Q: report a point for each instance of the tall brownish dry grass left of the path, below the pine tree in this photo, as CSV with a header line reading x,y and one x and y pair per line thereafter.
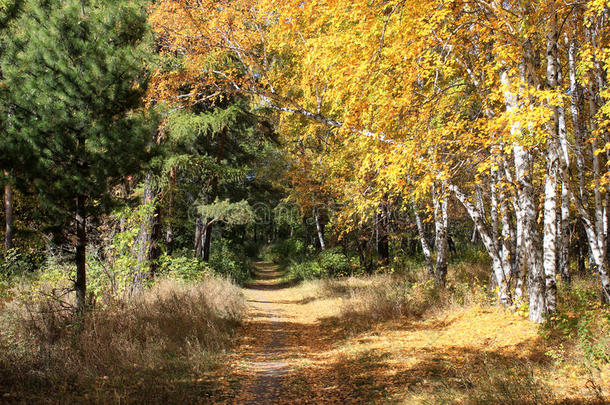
x,y
164,341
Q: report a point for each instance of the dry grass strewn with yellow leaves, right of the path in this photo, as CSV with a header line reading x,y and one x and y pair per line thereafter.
x,y
398,337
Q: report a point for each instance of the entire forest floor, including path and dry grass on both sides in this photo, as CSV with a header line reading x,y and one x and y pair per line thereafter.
x,y
353,340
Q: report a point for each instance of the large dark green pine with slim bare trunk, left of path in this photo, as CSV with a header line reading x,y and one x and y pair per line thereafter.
x,y
75,73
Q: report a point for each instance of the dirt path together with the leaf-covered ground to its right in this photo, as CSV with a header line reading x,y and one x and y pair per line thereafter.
x,y
298,347
